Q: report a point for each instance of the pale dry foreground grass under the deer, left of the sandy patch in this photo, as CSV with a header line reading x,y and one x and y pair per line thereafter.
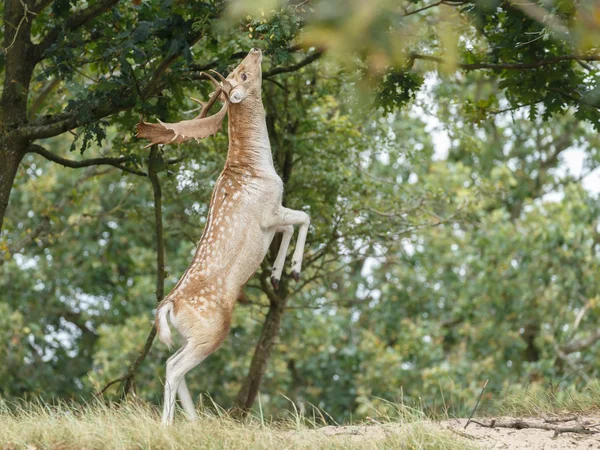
x,y
133,425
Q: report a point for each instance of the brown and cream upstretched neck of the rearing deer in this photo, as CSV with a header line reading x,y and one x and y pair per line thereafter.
x,y
248,135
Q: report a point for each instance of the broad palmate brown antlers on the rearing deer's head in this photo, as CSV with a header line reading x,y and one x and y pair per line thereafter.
x,y
196,128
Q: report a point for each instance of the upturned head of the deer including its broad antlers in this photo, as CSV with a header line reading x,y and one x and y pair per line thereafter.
x,y
244,82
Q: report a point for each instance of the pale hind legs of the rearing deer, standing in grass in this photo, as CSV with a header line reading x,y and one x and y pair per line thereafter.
x,y
178,365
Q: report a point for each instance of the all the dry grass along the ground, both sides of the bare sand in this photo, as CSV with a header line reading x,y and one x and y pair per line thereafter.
x,y
131,425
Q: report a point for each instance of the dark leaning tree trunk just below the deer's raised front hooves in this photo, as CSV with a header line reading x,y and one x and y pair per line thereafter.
x,y
262,352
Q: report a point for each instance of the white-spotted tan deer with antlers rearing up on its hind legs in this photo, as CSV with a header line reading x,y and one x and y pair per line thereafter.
x,y
245,213
